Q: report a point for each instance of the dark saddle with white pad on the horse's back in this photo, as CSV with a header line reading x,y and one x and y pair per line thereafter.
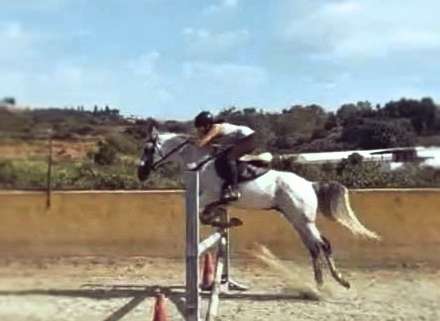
x,y
249,167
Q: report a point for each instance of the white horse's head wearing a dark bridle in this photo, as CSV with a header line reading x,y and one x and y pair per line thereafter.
x,y
159,149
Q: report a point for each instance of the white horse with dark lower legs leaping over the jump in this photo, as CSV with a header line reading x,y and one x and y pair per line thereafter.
x,y
296,198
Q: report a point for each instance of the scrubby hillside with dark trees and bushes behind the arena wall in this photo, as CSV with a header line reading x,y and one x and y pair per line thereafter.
x,y
100,148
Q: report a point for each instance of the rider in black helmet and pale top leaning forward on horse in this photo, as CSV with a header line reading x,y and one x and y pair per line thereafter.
x,y
241,138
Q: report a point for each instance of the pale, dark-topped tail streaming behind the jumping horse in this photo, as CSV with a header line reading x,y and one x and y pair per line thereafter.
x,y
334,203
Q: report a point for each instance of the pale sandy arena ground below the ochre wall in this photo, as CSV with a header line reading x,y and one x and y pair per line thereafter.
x,y
110,289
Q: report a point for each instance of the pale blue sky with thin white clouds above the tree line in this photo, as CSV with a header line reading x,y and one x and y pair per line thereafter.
x,y
170,59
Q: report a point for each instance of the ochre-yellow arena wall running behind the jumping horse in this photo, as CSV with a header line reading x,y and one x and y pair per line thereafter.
x,y
151,223
